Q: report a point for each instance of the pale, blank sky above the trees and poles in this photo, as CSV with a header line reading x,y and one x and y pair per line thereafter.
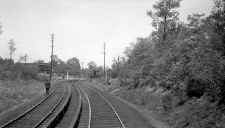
x,y
80,26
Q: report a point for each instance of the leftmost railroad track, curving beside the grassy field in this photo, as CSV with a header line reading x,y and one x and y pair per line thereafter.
x,y
34,116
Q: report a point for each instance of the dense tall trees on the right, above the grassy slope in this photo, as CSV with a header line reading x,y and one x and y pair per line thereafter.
x,y
185,58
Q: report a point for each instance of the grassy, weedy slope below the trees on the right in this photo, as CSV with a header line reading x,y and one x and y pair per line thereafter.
x,y
193,113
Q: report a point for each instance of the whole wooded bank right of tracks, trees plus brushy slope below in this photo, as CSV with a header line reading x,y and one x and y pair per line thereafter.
x,y
178,71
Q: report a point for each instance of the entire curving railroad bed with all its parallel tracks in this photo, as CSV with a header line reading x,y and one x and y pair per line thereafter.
x,y
77,107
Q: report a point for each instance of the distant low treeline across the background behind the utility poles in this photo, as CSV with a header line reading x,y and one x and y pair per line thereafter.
x,y
11,70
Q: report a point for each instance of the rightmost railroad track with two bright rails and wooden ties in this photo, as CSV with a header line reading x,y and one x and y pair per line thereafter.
x,y
101,112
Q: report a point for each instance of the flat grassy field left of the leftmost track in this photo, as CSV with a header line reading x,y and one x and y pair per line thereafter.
x,y
13,93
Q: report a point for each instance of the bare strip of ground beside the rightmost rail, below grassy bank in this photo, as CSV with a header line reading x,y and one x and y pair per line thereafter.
x,y
131,116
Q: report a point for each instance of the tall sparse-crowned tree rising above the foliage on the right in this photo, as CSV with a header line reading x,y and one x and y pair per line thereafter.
x,y
165,16
